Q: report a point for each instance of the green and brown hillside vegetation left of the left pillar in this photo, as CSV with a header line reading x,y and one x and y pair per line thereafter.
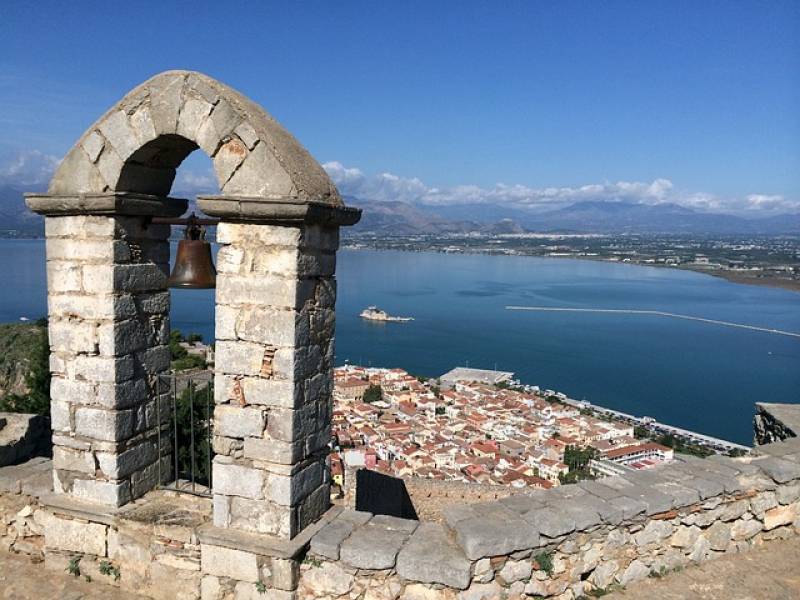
x,y
24,368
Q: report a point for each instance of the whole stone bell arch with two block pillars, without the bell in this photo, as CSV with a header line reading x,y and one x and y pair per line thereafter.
x,y
275,304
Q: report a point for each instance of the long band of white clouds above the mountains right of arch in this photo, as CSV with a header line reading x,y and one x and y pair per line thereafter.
x,y
387,186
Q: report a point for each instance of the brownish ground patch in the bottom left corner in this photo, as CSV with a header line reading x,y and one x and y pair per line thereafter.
x,y
21,579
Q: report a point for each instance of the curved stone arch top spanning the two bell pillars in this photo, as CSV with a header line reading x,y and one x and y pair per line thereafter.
x,y
137,145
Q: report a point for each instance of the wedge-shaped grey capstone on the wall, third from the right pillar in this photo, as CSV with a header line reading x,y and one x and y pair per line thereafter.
x,y
431,556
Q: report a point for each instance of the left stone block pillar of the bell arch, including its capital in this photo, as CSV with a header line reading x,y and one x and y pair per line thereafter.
x,y
109,328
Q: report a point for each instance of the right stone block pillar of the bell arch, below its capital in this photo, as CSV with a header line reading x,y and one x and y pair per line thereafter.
x,y
273,385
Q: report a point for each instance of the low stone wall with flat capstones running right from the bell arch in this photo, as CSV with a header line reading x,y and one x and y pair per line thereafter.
x,y
566,542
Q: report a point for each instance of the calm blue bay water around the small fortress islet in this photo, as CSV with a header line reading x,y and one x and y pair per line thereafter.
x,y
695,375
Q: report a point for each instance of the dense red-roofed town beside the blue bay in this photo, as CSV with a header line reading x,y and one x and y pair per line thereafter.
x,y
477,426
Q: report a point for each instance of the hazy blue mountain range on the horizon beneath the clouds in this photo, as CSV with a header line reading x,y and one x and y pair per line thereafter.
x,y
404,218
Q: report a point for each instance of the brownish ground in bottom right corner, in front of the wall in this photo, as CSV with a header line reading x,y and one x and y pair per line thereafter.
x,y
768,573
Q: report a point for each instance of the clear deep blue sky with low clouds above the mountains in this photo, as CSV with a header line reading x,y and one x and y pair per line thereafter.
x,y
518,102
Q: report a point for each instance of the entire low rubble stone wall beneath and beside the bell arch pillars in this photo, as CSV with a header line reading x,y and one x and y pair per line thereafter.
x,y
566,542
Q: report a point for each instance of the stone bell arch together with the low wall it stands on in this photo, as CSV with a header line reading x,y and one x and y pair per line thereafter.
x,y
268,529
